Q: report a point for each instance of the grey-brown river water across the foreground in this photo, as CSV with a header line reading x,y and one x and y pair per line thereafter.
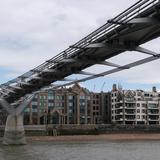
x,y
98,150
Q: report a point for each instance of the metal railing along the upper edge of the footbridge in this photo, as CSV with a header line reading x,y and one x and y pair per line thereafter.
x,y
132,12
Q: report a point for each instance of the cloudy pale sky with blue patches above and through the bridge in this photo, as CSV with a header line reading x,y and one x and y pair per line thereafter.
x,y
33,31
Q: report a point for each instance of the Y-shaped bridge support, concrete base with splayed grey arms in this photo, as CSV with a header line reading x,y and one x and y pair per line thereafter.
x,y
14,130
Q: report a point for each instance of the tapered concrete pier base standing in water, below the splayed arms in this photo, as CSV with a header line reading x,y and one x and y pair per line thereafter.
x,y
14,130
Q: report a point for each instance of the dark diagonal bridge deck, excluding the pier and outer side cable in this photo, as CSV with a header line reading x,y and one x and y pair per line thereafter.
x,y
125,35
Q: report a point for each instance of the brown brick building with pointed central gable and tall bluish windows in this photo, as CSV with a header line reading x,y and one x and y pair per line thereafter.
x,y
61,106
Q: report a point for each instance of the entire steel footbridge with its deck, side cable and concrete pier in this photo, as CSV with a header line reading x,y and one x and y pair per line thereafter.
x,y
137,25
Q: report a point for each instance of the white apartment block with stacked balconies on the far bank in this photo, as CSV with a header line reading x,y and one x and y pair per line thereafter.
x,y
135,107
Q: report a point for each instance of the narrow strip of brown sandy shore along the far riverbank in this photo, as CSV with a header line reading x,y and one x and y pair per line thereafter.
x,y
103,137
